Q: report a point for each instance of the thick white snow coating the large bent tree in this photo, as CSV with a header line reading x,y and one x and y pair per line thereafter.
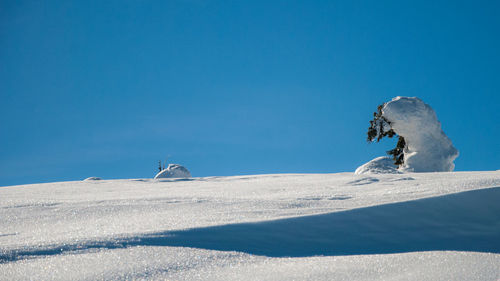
x,y
429,149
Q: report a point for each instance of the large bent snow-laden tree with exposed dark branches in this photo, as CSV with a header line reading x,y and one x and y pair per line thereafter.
x,y
422,145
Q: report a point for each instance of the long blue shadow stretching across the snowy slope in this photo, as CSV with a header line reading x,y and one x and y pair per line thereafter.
x,y
467,221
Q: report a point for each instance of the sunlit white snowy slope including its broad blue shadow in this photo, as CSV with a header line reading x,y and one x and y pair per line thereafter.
x,y
411,226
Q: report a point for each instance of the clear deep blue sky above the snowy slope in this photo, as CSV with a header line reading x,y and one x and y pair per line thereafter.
x,y
108,88
